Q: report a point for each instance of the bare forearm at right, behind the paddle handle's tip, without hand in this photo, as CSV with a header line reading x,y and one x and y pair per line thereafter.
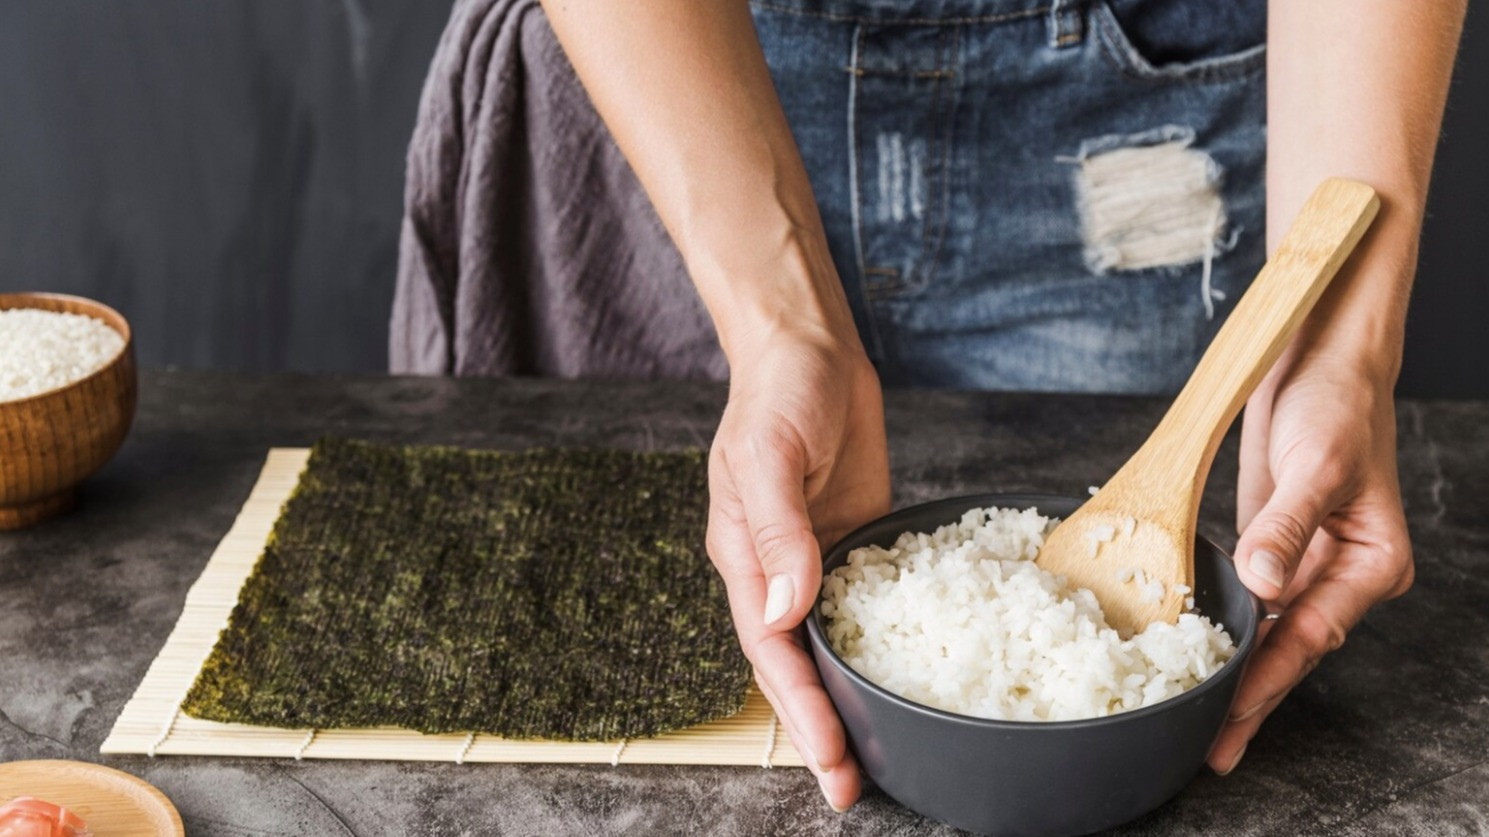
x,y
1357,90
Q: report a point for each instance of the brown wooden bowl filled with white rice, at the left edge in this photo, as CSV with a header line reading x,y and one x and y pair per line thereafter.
x,y
68,394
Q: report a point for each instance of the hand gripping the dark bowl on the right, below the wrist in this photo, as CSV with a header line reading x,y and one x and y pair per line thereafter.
x,y
1323,532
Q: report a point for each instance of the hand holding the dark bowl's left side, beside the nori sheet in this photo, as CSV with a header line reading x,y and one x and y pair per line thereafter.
x,y
799,461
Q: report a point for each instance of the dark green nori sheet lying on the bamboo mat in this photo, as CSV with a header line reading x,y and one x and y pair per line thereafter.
x,y
532,595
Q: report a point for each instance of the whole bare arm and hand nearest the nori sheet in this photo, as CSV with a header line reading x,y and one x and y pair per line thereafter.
x,y
800,453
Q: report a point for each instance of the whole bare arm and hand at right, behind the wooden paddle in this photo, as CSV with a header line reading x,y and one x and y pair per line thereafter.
x,y
1356,89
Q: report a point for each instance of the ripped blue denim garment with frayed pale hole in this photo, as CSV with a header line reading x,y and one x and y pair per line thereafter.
x,y
1028,194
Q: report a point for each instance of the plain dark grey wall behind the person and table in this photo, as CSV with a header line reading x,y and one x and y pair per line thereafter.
x,y
230,176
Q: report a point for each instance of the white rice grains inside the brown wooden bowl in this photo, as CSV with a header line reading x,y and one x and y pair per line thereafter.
x,y
44,351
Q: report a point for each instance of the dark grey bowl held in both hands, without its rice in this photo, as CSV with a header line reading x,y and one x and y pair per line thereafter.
x,y
1025,778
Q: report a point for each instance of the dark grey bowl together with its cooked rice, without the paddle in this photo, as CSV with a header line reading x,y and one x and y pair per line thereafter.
x,y
986,693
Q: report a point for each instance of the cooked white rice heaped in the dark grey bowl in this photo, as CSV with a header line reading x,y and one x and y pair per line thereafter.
x,y
966,622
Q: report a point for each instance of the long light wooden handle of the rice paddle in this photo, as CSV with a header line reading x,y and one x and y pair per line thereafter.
x,y
1323,236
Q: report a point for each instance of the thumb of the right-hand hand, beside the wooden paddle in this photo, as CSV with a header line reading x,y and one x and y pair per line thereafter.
x,y
1277,538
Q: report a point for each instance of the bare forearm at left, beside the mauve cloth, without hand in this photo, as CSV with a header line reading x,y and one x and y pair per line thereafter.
x,y
686,92
